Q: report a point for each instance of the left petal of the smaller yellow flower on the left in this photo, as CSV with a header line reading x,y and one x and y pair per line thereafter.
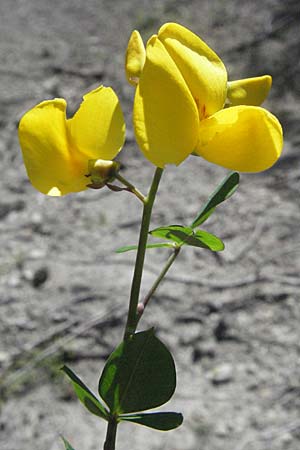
x,y
52,167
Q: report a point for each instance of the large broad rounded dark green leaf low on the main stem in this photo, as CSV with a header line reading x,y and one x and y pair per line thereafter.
x,y
139,375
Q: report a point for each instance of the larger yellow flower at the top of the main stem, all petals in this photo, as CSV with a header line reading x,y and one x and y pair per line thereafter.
x,y
181,100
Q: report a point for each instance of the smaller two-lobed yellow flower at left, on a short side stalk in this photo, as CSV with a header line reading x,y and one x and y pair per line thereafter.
x,y
58,152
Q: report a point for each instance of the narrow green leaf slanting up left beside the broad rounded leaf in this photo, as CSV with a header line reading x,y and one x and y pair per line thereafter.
x,y
85,395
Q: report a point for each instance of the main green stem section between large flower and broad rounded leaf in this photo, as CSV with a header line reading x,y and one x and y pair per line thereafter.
x,y
132,317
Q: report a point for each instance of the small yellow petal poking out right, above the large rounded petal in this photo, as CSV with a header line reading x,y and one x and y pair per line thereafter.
x,y
249,91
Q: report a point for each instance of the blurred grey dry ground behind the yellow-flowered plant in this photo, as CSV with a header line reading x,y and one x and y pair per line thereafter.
x,y
231,321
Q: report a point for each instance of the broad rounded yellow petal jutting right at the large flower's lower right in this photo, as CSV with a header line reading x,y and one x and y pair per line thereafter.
x,y
242,138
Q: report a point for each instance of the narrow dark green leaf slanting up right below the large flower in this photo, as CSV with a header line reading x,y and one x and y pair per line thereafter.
x,y
225,190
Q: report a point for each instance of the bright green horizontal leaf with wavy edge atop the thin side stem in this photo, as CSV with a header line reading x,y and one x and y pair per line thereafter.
x,y
187,236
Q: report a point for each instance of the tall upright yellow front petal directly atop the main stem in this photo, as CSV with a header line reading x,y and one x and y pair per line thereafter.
x,y
165,115
